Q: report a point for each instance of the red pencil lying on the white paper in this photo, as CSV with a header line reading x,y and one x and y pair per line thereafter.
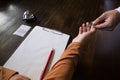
x,y
47,64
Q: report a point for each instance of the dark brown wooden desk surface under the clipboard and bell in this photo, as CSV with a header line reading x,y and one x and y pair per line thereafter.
x,y
65,16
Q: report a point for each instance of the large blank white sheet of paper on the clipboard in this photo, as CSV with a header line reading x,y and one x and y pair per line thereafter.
x,y
30,57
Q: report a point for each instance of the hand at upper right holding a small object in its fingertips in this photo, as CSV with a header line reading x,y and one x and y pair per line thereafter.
x,y
107,20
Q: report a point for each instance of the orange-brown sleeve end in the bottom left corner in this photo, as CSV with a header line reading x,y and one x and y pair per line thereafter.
x,y
6,73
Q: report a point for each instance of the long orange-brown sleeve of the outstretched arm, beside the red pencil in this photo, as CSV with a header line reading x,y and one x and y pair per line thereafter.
x,y
65,67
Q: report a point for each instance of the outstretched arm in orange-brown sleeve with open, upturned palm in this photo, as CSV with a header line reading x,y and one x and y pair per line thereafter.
x,y
65,66
